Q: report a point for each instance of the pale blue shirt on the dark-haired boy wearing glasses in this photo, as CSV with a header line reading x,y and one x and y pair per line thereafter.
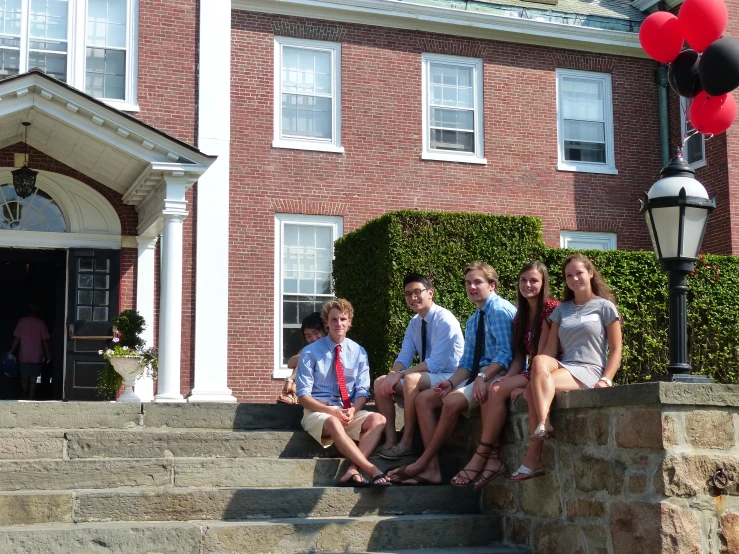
x,y
444,341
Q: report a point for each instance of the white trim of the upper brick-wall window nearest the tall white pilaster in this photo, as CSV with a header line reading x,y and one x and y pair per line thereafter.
x,y
320,145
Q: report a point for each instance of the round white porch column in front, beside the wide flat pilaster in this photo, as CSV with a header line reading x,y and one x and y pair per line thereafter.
x,y
170,294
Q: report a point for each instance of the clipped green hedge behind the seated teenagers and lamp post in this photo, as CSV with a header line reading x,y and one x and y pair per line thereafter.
x,y
370,264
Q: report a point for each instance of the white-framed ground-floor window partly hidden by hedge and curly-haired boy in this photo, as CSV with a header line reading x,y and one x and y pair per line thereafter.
x,y
304,253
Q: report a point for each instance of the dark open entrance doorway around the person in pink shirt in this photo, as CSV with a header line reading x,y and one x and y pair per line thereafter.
x,y
38,277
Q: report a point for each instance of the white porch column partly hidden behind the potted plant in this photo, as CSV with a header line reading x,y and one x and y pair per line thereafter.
x,y
144,386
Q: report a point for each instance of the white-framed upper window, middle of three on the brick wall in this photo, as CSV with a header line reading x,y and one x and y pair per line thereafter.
x,y
452,109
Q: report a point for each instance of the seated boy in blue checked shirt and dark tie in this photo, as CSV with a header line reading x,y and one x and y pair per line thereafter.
x,y
487,352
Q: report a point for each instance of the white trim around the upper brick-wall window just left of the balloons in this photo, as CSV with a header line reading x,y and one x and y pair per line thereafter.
x,y
608,168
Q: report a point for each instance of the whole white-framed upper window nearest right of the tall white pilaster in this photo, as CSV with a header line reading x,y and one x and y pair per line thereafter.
x,y
307,95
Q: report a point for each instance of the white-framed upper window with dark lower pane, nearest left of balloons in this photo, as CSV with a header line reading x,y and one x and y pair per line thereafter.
x,y
585,122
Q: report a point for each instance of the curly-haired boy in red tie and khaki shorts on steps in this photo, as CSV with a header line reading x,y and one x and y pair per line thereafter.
x,y
333,387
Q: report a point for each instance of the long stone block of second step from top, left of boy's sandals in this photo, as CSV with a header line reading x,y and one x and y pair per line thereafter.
x,y
191,443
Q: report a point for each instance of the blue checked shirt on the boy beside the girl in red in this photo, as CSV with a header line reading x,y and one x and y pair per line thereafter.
x,y
499,315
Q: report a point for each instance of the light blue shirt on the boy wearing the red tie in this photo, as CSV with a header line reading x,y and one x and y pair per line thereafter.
x,y
316,375
